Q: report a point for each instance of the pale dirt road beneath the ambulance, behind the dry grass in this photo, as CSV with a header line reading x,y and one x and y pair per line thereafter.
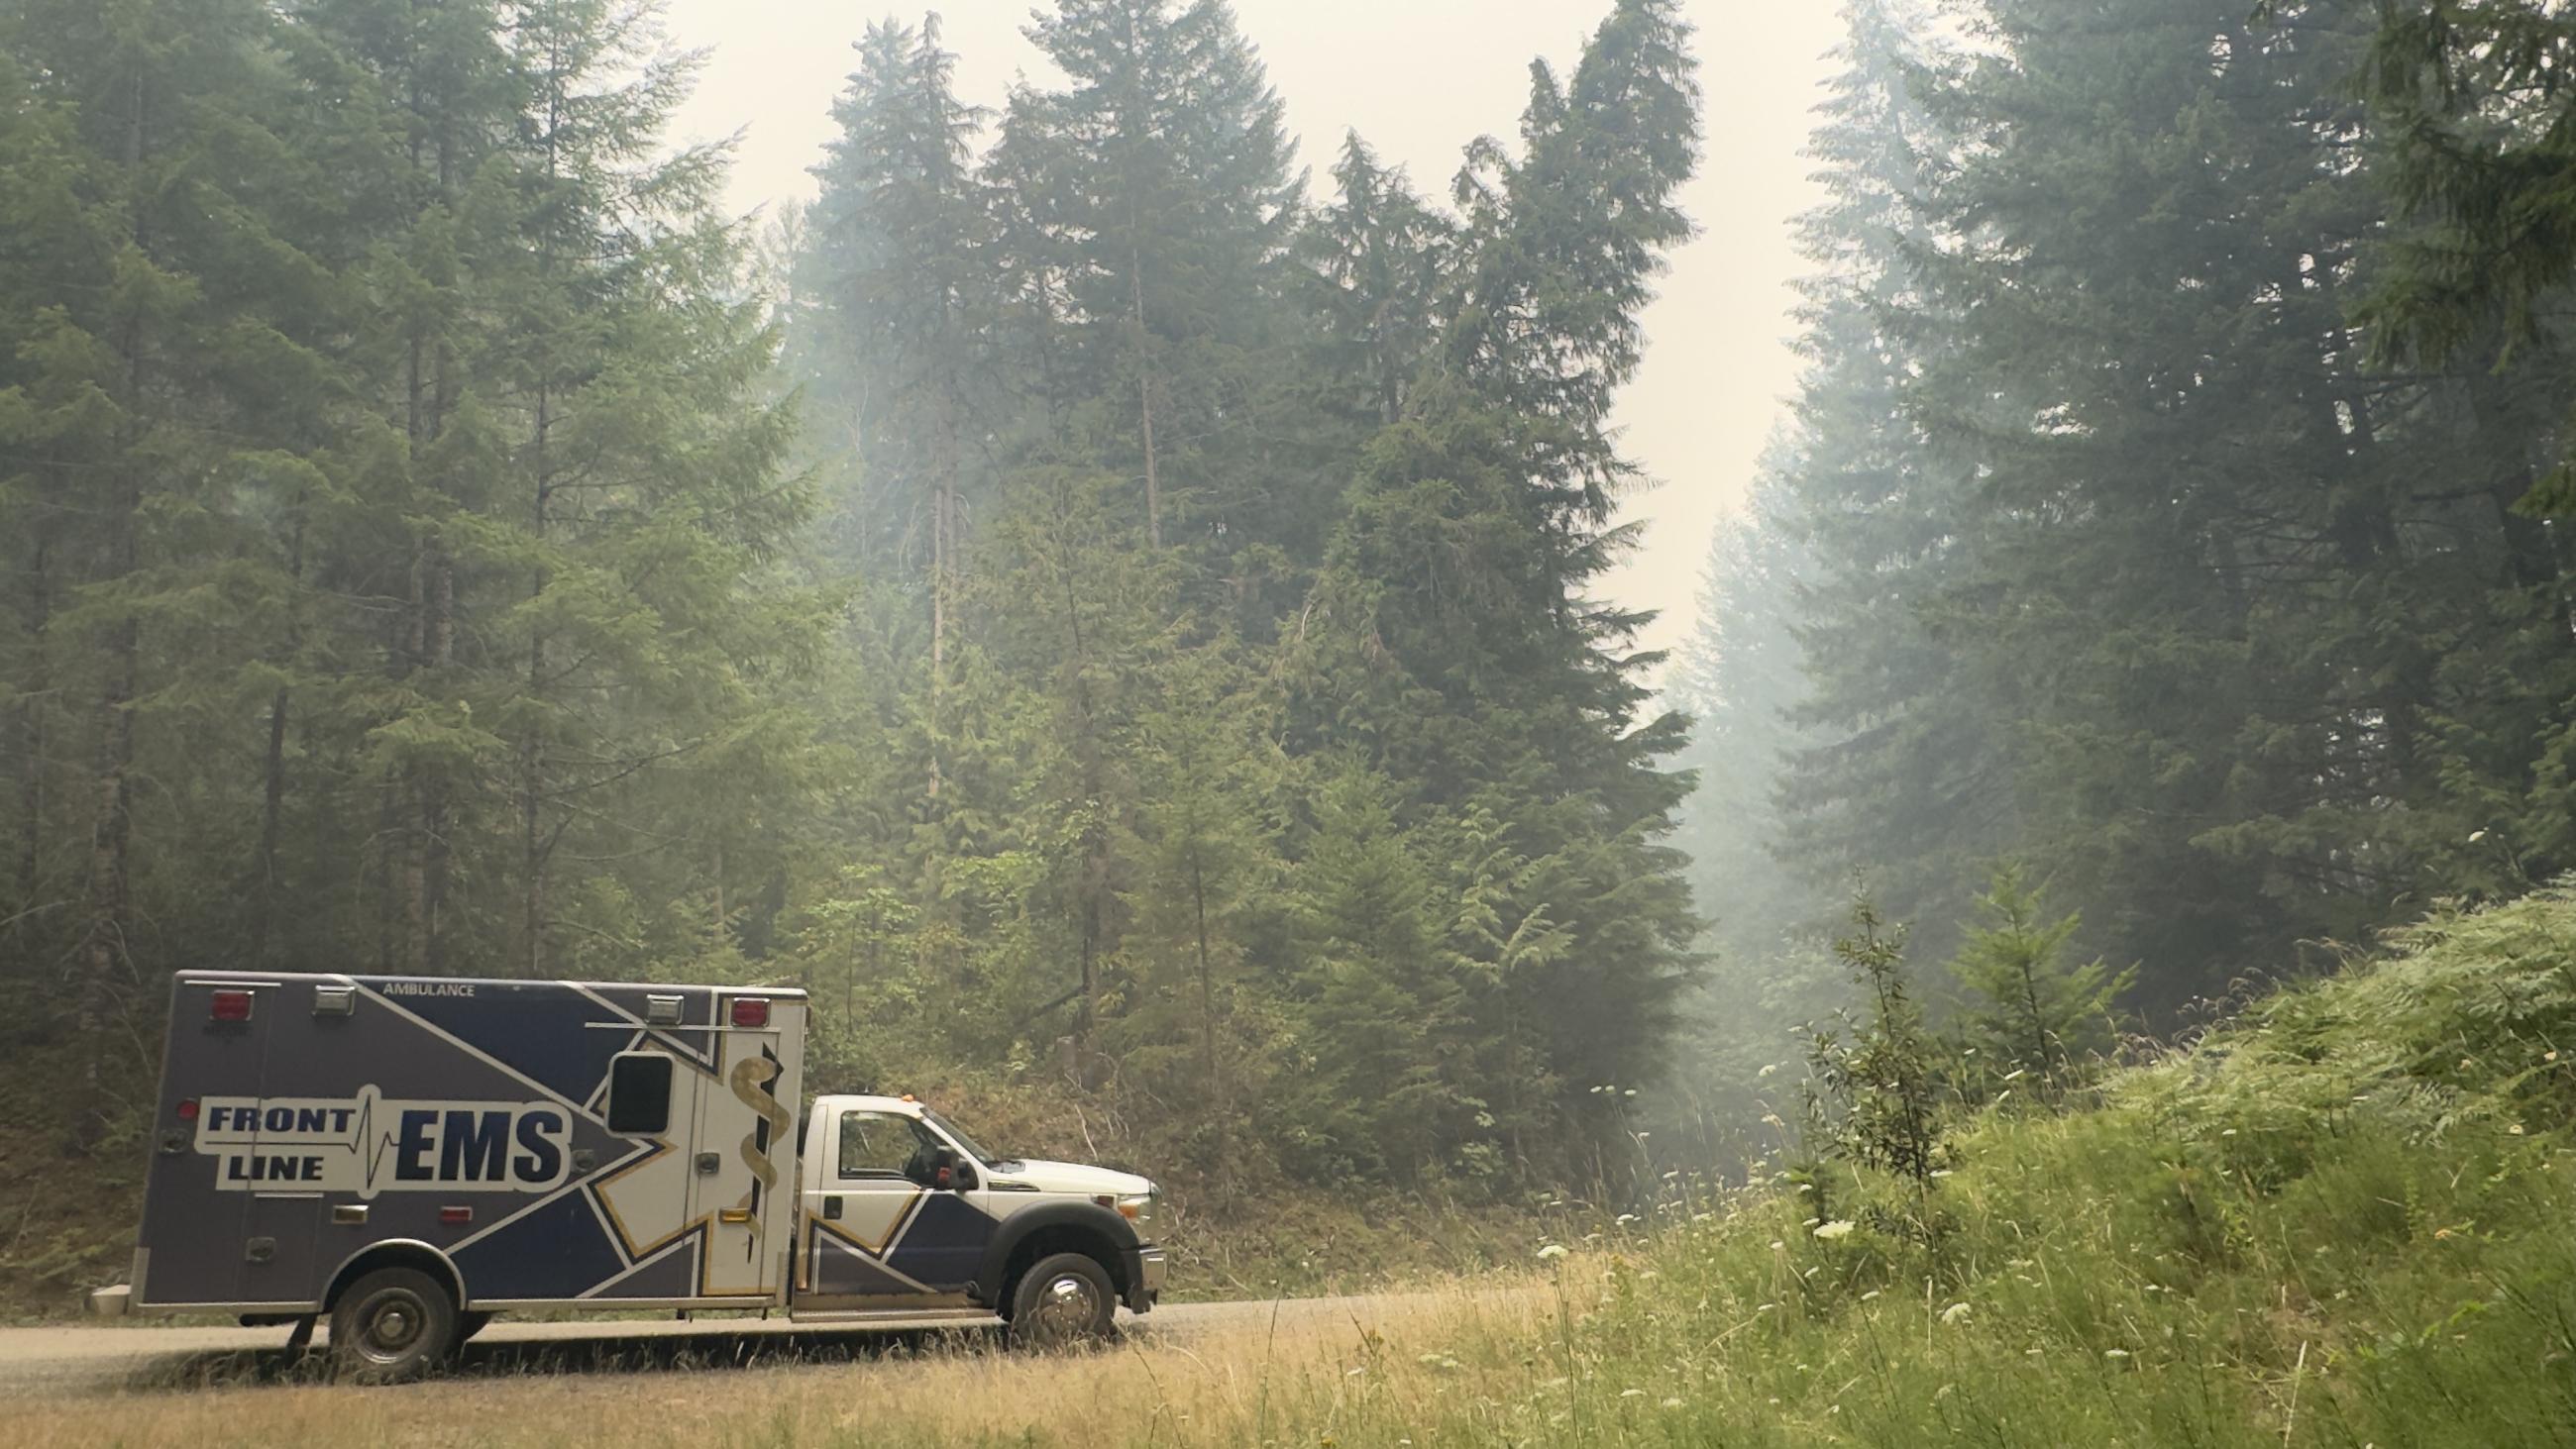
x,y
81,1360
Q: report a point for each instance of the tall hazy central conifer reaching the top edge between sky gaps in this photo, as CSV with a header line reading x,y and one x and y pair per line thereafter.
x,y
1158,192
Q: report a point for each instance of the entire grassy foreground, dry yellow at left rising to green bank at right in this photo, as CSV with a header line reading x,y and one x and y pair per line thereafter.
x,y
2345,1221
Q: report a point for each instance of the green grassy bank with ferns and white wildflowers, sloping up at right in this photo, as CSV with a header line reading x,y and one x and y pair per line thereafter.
x,y
2351,1219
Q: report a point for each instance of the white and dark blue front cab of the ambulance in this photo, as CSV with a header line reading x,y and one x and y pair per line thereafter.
x,y
903,1211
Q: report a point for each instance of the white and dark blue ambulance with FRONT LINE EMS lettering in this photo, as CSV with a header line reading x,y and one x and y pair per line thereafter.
x,y
408,1157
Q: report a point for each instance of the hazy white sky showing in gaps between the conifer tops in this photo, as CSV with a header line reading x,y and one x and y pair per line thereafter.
x,y
1421,78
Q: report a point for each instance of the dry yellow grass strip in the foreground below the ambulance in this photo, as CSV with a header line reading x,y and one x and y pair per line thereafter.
x,y
1297,1376
